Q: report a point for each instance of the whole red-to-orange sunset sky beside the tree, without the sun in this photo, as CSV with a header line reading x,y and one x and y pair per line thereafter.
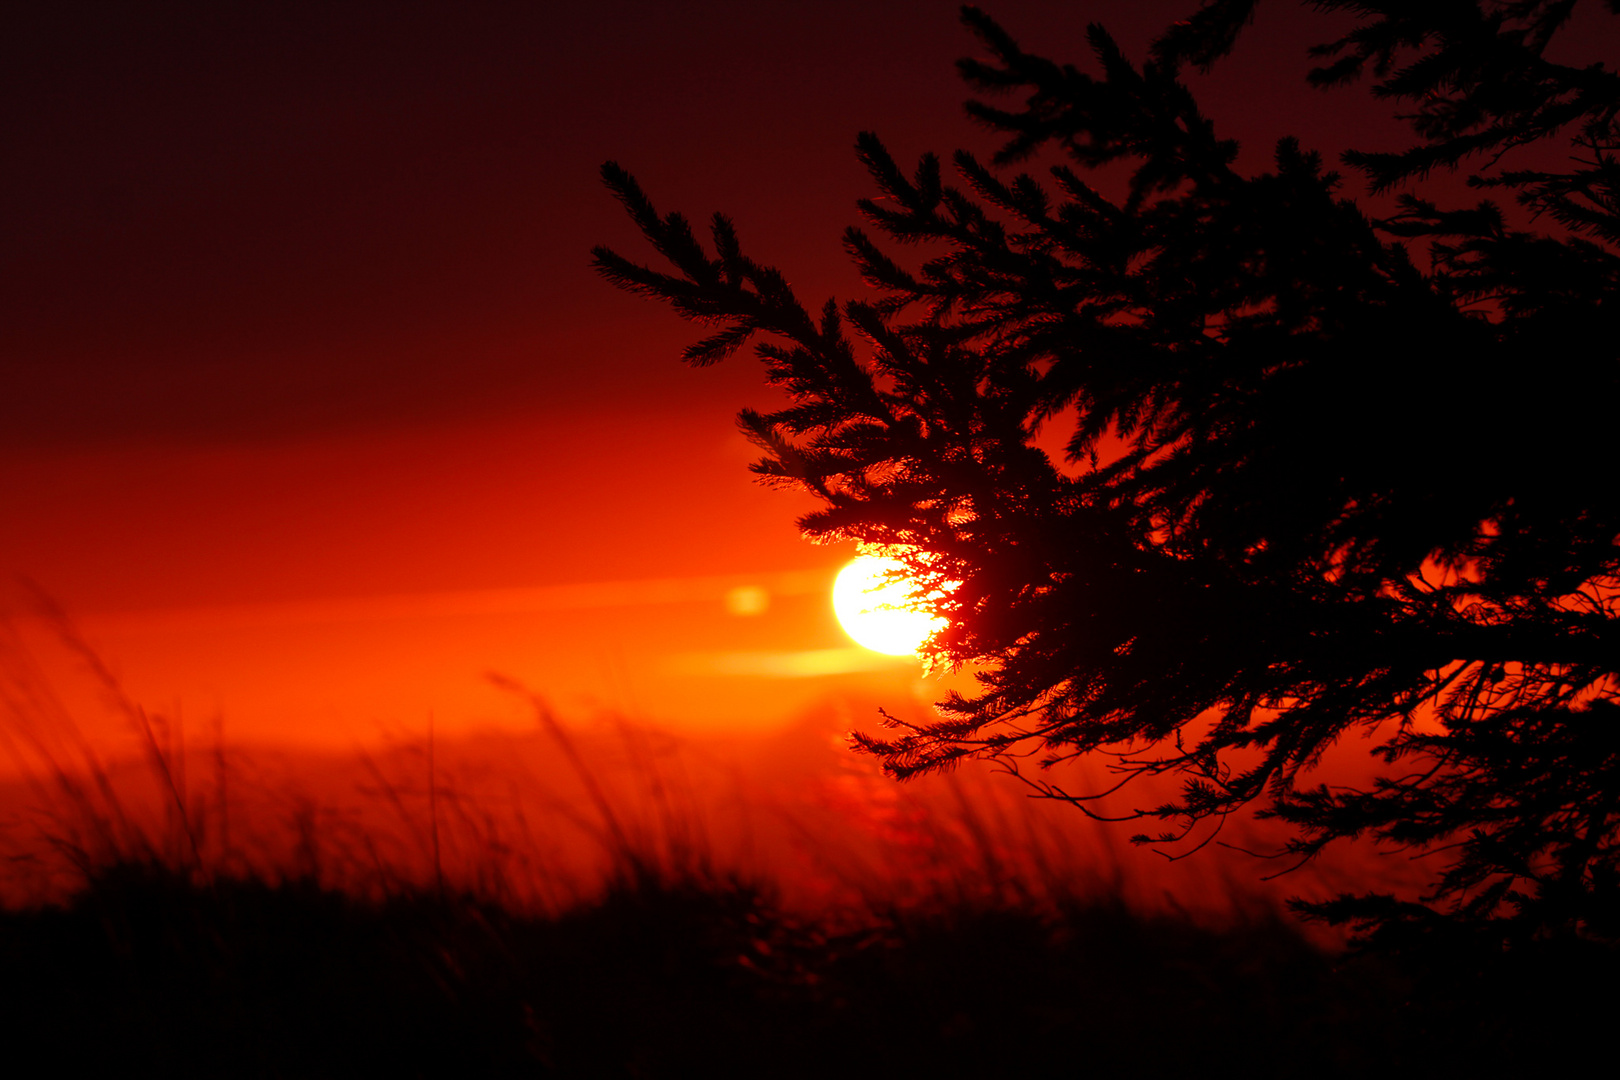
x,y
310,407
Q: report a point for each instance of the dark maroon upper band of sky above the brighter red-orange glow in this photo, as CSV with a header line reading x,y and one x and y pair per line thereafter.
x,y
262,221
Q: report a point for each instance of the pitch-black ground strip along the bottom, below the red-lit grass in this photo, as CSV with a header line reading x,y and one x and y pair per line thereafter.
x,y
148,974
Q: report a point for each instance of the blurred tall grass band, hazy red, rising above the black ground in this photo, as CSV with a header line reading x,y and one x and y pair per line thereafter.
x,y
422,815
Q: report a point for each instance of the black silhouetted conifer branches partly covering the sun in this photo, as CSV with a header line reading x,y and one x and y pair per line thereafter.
x,y
1326,474
